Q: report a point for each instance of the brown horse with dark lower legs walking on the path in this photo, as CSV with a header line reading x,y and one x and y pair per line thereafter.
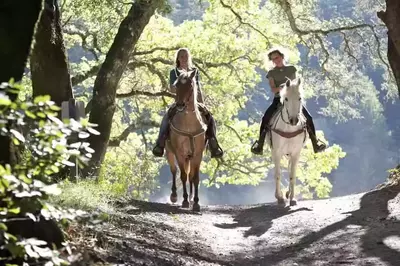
x,y
187,139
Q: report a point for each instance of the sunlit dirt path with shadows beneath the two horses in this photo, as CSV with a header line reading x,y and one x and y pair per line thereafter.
x,y
361,229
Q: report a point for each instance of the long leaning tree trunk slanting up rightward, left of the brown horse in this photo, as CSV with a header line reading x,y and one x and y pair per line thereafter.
x,y
106,83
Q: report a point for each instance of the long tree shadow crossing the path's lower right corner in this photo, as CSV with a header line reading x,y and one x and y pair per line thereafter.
x,y
372,216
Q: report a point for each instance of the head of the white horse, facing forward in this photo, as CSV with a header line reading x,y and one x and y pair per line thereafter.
x,y
292,100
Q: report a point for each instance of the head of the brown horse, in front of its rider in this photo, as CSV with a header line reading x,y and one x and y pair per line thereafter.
x,y
185,86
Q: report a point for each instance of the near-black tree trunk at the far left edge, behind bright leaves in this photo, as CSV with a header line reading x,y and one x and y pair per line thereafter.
x,y
17,26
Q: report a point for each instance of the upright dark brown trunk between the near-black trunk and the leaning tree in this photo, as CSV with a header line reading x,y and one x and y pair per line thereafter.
x,y
48,62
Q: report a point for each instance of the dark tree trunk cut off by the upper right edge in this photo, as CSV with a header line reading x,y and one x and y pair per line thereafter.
x,y
391,18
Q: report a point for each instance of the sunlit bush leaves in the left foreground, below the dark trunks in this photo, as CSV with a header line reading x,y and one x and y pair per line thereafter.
x,y
25,187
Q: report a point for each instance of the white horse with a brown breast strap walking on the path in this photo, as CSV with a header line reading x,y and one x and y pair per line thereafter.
x,y
288,135
